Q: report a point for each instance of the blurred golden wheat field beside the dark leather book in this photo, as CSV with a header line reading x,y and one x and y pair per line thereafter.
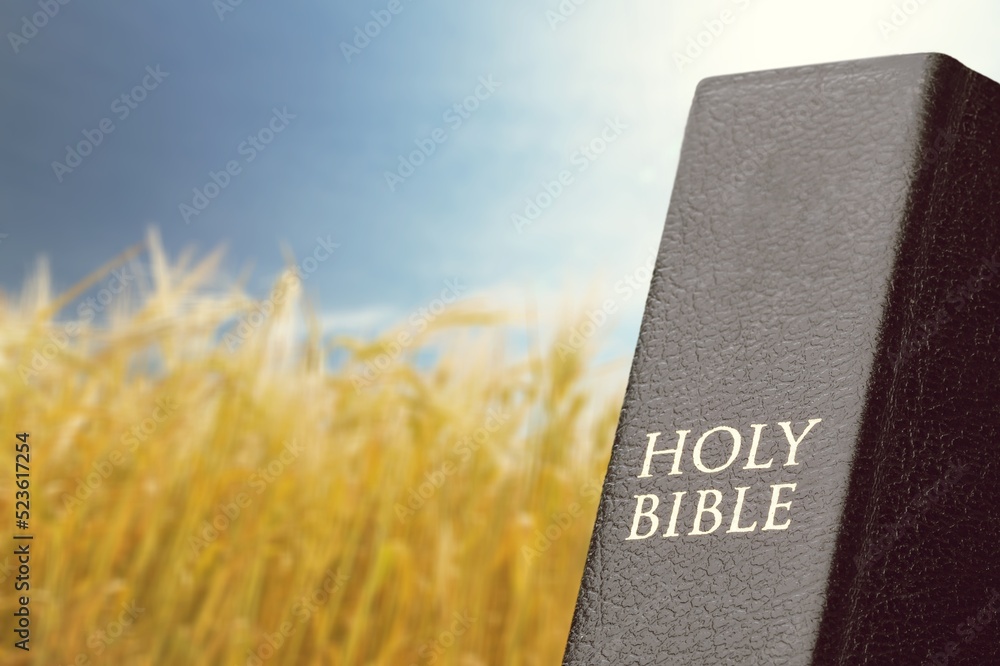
x,y
199,496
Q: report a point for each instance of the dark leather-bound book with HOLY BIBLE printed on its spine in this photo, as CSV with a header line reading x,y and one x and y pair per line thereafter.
x,y
807,463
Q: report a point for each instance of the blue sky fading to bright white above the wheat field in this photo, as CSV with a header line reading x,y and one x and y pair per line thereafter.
x,y
535,84
